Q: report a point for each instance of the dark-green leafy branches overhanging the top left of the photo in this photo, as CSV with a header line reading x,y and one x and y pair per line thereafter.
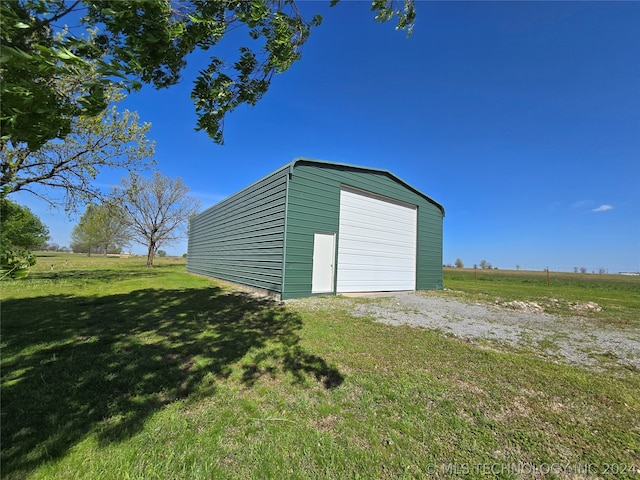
x,y
145,41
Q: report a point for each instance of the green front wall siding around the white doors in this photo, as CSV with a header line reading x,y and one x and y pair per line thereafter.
x,y
314,206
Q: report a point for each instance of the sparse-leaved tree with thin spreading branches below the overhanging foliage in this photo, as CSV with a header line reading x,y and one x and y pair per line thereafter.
x,y
62,173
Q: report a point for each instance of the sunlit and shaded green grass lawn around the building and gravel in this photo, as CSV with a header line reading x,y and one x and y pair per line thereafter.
x,y
111,370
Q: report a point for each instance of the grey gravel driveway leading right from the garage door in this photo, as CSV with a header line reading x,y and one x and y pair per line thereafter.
x,y
572,340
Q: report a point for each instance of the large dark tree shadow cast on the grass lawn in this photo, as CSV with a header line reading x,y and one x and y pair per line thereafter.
x,y
79,365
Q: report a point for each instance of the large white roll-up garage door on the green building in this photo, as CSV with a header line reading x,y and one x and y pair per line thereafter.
x,y
376,244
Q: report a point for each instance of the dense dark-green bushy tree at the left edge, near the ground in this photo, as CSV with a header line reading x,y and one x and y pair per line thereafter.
x,y
20,231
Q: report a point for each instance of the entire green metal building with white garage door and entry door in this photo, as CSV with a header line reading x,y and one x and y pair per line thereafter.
x,y
315,227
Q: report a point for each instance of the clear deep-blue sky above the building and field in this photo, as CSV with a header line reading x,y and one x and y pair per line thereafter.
x,y
521,118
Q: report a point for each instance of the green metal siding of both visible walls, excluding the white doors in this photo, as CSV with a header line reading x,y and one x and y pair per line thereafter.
x,y
262,236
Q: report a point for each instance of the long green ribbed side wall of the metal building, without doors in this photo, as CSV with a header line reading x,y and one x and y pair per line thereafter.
x,y
241,239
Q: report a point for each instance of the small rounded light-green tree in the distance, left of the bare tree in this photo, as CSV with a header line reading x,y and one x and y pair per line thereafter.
x,y
101,229
